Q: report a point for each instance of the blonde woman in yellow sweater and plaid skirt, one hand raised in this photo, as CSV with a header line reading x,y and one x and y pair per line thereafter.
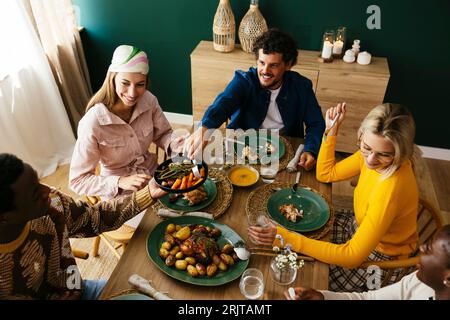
x,y
383,226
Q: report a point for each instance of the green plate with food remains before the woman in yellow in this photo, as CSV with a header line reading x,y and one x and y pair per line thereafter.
x,y
315,209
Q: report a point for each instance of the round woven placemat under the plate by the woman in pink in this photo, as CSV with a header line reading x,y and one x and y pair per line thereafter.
x,y
222,200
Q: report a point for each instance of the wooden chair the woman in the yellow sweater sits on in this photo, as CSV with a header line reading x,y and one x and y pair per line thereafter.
x,y
429,221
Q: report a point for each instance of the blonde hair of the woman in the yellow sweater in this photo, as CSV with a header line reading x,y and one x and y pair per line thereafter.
x,y
395,123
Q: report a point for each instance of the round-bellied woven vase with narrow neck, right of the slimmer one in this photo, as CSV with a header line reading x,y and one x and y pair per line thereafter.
x,y
252,26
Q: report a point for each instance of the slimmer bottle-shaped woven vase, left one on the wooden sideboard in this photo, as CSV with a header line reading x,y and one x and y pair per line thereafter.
x,y
224,27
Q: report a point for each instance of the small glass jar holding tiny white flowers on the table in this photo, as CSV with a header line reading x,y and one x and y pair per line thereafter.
x,y
283,268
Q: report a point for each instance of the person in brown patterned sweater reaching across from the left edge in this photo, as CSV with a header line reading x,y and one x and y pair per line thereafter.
x,y
36,221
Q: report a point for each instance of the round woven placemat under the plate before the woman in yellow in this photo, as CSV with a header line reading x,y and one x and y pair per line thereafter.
x,y
257,205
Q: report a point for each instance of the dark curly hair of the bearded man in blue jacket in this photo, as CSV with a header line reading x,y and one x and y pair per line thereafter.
x,y
276,41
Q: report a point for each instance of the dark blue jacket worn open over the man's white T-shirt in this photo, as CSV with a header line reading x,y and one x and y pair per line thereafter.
x,y
246,103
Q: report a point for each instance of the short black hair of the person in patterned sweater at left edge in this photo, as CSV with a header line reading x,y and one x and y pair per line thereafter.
x,y
11,168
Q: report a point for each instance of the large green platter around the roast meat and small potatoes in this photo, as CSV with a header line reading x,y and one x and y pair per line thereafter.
x,y
155,239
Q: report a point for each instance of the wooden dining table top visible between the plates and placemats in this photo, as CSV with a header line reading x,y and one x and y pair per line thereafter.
x,y
135,259
